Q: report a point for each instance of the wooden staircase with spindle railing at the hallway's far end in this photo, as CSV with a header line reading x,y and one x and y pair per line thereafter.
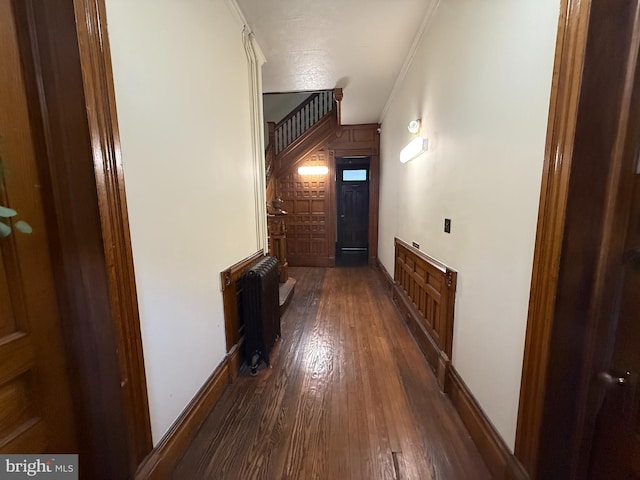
x,y
307,126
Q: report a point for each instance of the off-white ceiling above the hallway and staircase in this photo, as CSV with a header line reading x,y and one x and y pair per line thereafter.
x,y
358,45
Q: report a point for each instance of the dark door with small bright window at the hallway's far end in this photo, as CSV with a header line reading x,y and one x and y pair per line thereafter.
x,y
353,210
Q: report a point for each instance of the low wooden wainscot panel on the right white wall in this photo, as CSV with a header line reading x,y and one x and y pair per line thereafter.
x,y
424,290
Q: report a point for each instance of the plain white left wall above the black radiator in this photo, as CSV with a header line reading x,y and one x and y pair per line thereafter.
x,y
183,100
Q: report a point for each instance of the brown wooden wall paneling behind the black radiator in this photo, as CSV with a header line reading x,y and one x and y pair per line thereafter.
x,y
233,330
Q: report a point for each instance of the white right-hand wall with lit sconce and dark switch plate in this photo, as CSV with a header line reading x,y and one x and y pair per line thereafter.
x,y
480,80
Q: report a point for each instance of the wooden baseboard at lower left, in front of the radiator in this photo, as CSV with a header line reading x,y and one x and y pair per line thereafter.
x,y
163,459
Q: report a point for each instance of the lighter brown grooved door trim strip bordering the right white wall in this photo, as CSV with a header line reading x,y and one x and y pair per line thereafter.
x,y
565,93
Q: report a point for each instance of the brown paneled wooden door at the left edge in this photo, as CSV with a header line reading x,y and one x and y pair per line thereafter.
x,y
36,413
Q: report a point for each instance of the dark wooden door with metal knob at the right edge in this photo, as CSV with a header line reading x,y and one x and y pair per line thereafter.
x,y
615,452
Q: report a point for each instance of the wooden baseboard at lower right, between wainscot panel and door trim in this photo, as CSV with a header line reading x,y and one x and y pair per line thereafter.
x,y
502,464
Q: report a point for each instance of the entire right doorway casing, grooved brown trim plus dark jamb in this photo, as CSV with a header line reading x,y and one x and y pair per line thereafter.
x,y
566,336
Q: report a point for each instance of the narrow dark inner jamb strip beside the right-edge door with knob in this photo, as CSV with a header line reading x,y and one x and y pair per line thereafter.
x,y
615,223
